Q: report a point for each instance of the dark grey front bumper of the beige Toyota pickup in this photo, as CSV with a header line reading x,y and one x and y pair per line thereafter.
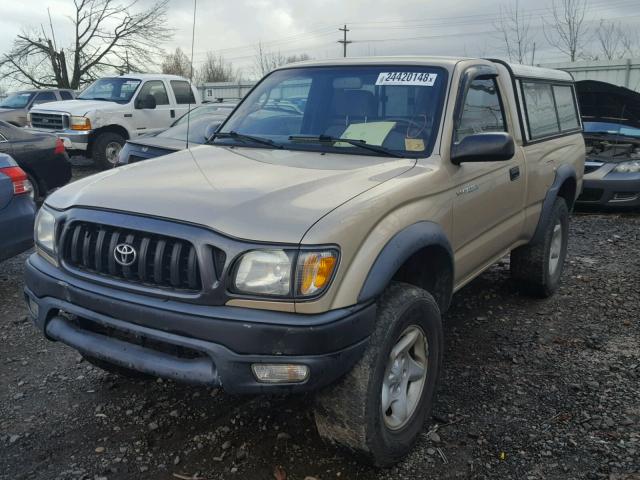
x,y
215,346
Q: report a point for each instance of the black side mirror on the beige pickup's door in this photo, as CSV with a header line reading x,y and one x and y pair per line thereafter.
x,y
483,147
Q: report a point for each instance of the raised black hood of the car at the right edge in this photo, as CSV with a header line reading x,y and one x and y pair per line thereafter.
x,y
607,103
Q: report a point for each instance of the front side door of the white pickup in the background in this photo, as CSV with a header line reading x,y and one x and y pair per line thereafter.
x,y
153,120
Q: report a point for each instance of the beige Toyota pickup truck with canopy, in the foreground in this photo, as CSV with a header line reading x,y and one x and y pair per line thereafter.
x,y
315,241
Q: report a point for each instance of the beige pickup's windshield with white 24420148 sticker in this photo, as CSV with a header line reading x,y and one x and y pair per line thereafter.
x,y
394,107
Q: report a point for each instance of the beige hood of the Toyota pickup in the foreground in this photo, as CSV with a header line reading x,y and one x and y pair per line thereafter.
x,y
252,194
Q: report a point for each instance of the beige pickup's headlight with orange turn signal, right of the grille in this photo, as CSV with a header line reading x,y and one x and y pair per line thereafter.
x,y
271,272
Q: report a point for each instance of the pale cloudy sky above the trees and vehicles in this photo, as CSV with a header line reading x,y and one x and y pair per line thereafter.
x,y
233,28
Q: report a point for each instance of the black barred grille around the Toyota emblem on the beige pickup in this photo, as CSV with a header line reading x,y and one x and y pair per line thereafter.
x,y
160,261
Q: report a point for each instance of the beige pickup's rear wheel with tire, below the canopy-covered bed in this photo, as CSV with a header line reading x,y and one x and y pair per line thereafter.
x,y
537,268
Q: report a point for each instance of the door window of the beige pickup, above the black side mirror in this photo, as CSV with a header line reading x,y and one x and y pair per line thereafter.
x,y
482,110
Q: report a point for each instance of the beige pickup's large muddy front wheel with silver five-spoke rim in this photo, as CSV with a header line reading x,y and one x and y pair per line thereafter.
x,y
378,409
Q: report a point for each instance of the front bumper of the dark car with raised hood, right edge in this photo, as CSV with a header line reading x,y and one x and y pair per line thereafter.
x,y
613,190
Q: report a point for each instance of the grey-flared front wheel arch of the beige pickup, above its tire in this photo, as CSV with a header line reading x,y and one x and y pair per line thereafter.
x,y
419,255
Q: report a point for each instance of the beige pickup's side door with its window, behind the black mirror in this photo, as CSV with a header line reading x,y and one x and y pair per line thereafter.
x,y
489,196
